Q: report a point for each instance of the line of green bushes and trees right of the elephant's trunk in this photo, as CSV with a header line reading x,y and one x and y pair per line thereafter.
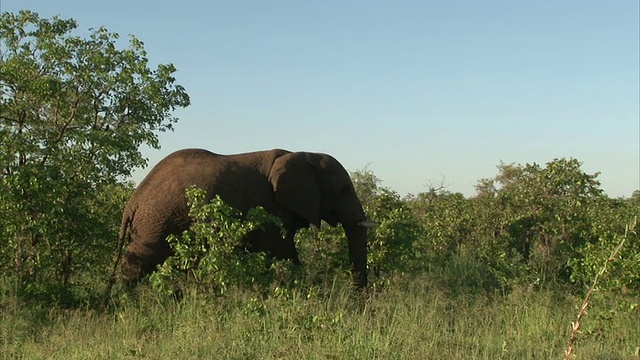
x,y
535,225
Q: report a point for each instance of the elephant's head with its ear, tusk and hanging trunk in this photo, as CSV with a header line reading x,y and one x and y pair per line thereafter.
x,y
316,187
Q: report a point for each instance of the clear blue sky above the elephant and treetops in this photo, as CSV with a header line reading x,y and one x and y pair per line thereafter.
x,y
417,91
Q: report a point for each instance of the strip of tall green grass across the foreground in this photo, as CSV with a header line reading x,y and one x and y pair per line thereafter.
x,y
416,320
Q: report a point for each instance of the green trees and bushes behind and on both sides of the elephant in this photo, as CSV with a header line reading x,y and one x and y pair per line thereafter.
x,y
74,113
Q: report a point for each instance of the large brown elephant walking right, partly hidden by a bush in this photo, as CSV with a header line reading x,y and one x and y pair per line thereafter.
x,y
301,188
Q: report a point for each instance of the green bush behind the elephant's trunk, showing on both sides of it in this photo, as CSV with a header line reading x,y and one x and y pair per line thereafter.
x,y
391,244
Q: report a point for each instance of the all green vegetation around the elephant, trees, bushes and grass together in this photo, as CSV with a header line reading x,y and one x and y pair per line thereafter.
x,y
505,274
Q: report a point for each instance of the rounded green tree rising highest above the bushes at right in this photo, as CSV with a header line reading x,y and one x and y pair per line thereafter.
x,y
545,215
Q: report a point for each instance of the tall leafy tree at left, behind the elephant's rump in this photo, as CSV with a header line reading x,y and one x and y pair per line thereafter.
x,y
73,114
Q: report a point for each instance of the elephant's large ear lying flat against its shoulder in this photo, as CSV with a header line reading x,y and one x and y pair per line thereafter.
x,y
295,186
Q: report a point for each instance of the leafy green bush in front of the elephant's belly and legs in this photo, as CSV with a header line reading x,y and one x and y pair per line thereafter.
x,y
210,255
